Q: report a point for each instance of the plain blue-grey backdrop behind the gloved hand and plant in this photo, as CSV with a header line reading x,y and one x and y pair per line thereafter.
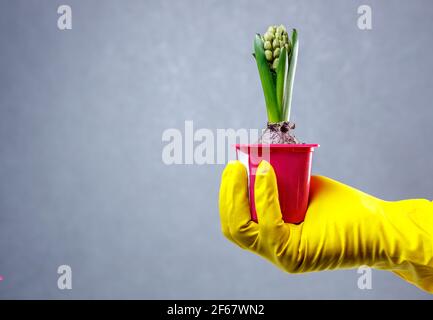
x,y
82,113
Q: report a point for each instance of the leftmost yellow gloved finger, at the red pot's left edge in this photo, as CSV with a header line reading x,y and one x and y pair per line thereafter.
x,y
234,200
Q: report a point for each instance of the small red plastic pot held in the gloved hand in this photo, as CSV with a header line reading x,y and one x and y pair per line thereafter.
x,y
292,166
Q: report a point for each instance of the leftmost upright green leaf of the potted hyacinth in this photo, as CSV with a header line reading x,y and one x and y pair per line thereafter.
x,y
268,82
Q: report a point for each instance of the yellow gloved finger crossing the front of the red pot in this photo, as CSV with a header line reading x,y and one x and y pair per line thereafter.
x,y
269,215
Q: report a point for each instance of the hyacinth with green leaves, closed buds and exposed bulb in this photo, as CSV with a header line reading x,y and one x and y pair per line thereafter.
x,y
276,55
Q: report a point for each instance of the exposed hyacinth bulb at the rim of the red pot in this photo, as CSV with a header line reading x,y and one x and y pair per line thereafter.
x,y
279,133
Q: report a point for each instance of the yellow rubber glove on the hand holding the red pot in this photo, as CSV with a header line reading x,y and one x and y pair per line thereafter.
x,y
343,227
